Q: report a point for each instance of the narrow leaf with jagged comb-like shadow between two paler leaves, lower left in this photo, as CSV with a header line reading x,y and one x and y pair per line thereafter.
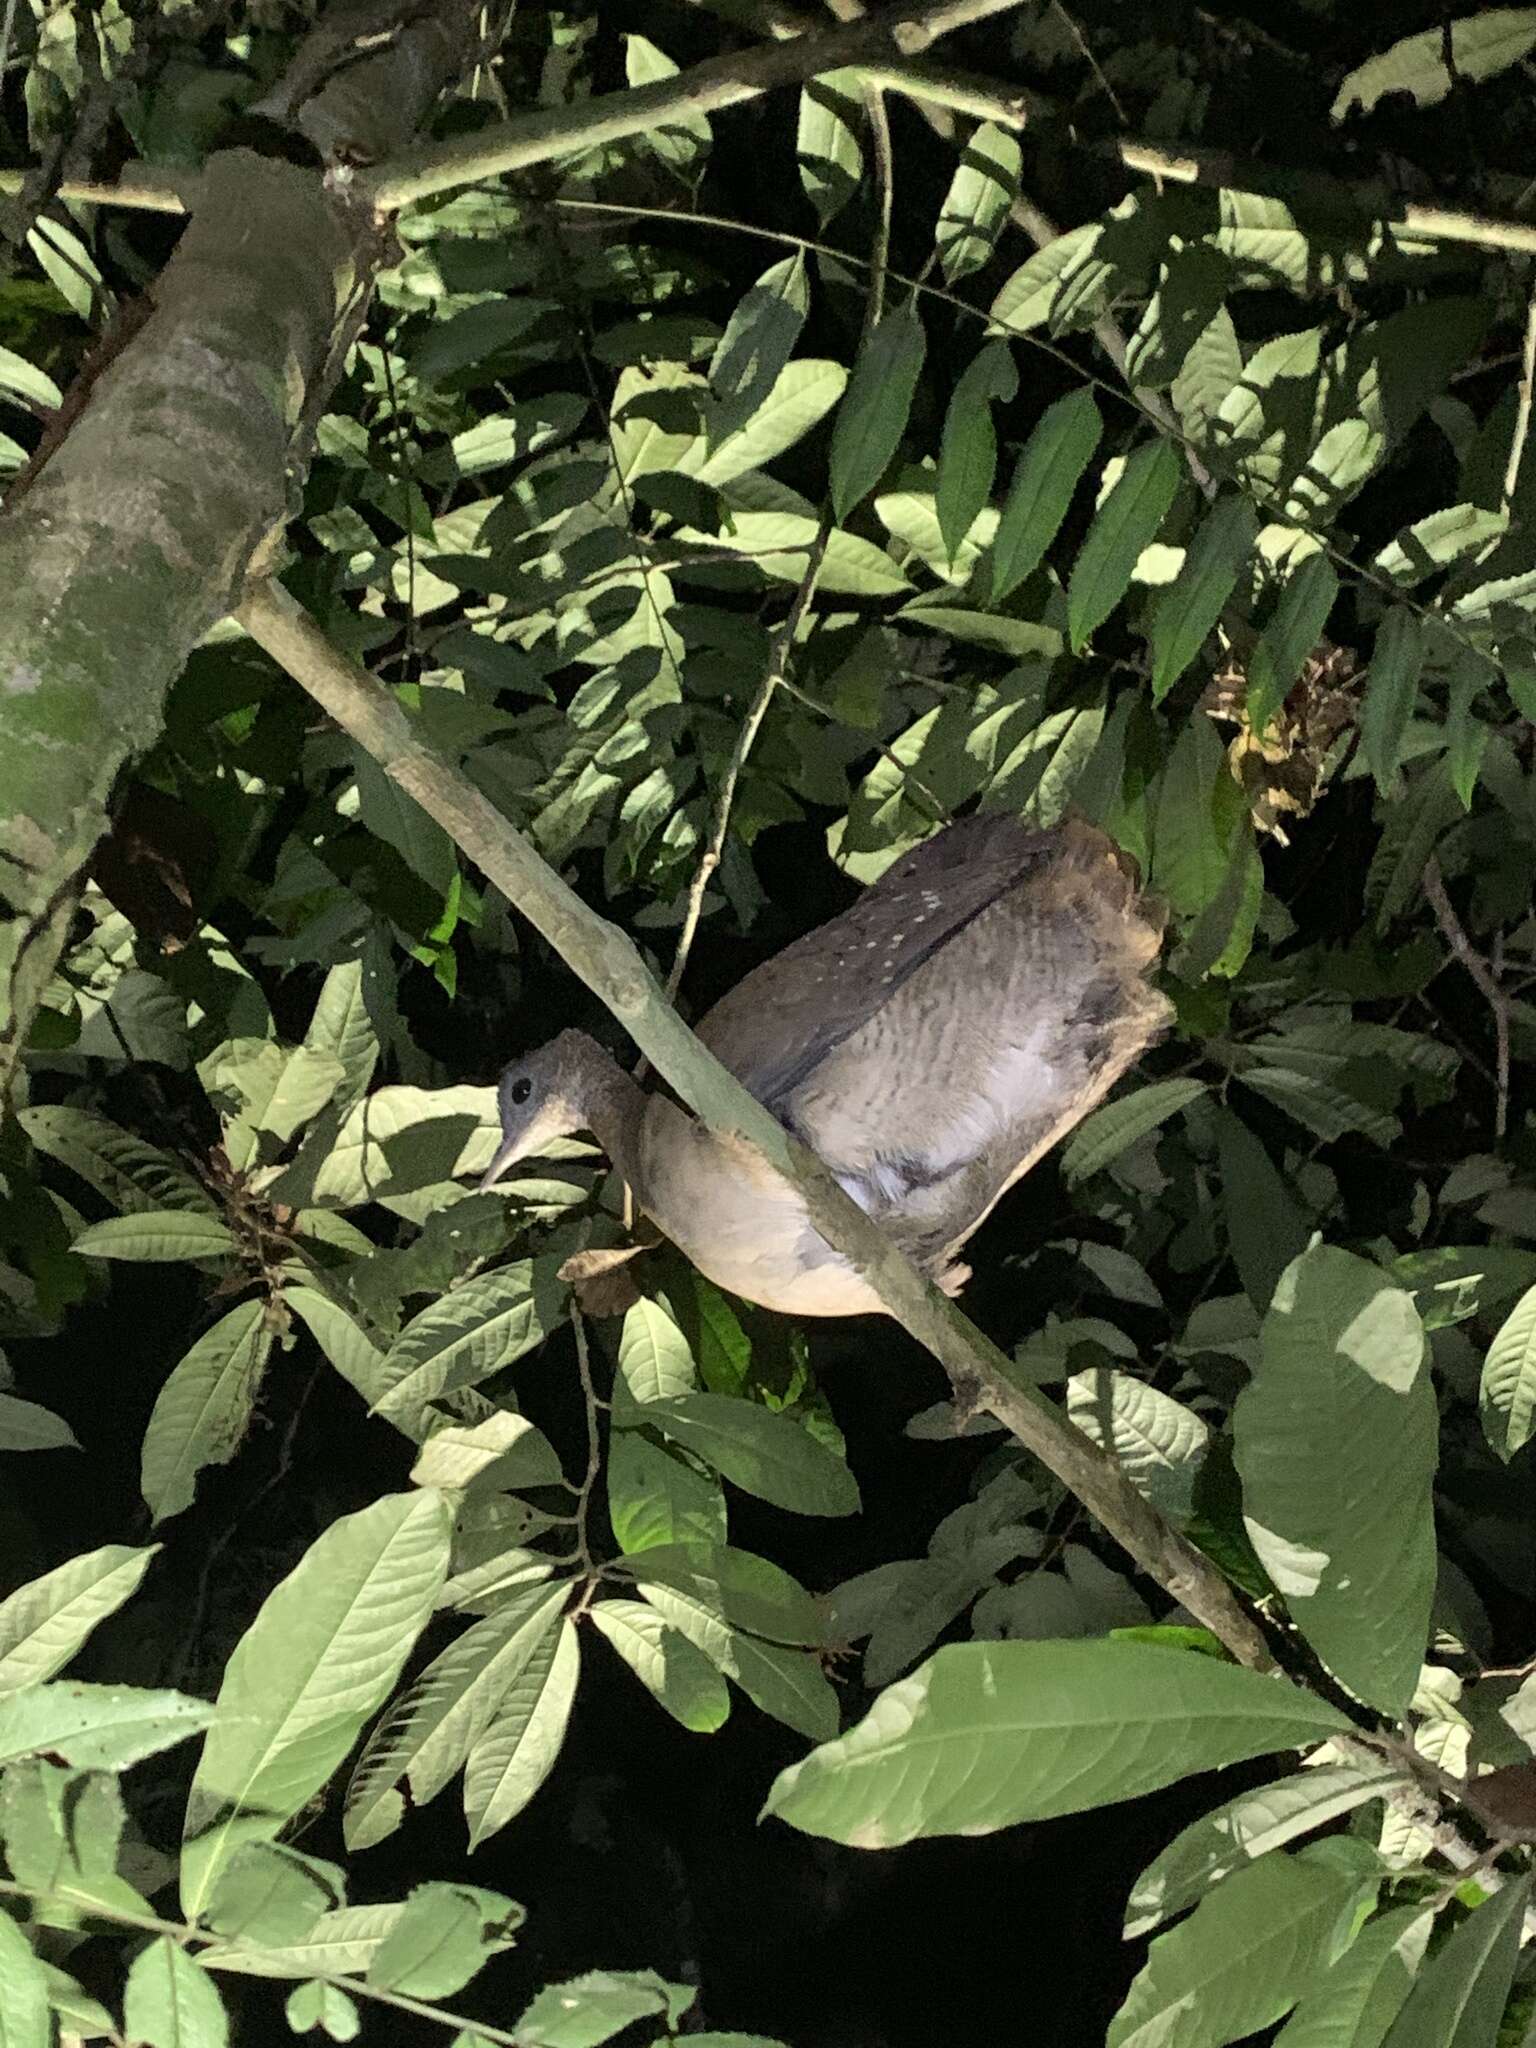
x,y
437,1721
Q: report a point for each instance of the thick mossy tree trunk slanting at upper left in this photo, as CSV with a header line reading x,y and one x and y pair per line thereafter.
x,y
136,534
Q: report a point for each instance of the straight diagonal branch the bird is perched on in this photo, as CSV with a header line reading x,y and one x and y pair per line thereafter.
x,y
620,978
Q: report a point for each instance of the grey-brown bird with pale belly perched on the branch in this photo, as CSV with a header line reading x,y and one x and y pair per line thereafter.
x,y
929,1043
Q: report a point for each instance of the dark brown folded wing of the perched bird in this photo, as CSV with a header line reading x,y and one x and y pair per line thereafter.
x,y
777,1025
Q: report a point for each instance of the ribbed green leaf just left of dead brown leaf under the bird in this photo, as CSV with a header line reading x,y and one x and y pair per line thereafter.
x,y
470,1334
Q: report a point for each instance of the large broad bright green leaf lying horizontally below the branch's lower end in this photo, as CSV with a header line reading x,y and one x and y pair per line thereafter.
x,y
992,1734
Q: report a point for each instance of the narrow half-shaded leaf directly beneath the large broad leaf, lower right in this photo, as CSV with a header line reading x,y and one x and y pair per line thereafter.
x,y
1246,1830
